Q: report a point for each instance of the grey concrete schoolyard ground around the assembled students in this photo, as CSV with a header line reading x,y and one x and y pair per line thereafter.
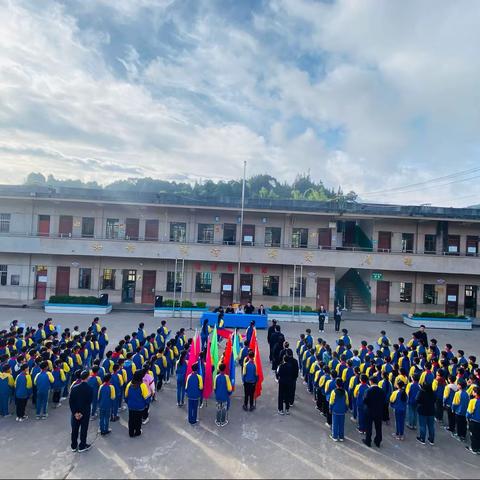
x,y
253,445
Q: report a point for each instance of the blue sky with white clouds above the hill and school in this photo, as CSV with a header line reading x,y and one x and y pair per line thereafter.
x,y
379,97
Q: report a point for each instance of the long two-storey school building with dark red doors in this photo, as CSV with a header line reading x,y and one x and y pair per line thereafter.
x,y
134,246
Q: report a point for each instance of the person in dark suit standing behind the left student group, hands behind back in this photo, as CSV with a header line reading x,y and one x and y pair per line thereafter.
x,y
81,397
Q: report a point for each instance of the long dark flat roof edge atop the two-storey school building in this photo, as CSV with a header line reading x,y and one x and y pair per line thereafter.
x,y
335,207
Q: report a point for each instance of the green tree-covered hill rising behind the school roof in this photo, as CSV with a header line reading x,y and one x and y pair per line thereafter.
x,y
258,186
